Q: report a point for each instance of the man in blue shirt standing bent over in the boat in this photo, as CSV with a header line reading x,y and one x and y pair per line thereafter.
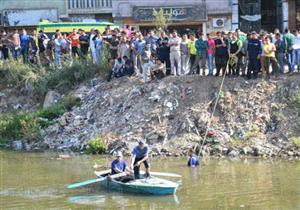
x,y
139,156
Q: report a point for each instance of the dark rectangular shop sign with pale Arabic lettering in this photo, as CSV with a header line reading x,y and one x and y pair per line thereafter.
x,y
190,13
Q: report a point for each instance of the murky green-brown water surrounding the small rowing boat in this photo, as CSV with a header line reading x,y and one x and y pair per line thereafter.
x,y
37,181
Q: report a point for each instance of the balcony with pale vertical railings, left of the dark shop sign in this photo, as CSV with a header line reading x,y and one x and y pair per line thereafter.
x,y
89,6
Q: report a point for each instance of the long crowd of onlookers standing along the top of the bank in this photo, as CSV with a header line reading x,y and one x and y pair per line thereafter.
x,y
155,55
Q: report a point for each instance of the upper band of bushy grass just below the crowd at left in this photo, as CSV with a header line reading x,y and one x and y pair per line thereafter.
x,y
38,79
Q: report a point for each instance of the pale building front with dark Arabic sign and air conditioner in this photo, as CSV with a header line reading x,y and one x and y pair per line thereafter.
x,y
196,15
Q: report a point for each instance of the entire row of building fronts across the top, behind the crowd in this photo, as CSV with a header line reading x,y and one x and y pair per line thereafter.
x,y
199,15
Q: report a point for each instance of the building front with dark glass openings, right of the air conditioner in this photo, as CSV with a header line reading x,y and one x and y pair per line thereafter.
x,y
251,15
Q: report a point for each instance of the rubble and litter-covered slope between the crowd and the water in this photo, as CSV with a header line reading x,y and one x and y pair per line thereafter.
x,y
252,117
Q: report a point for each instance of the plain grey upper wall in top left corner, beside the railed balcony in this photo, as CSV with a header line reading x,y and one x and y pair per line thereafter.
x,y
34,4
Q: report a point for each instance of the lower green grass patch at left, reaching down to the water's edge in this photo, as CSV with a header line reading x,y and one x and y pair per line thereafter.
x,y
28,126
